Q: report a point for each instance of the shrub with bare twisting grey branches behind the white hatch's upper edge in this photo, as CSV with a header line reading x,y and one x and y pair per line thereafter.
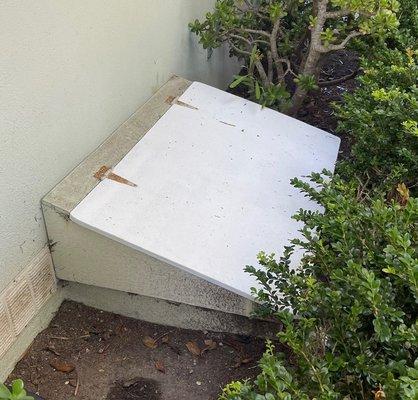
x,y
281,43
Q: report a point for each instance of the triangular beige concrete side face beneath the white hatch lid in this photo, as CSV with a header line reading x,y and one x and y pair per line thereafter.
x,y
83,256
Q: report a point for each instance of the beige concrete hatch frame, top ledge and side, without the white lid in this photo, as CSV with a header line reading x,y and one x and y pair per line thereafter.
x,y
84,256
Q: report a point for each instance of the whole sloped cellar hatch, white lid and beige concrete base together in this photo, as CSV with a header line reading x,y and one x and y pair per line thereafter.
x,y
184,195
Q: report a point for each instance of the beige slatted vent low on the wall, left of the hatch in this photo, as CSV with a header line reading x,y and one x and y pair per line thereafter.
x,y
24,296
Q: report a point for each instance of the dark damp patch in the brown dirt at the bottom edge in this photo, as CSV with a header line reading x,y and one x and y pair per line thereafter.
x,y
135,389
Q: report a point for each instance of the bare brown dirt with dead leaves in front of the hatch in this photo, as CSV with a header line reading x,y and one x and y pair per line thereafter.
x,y
88,354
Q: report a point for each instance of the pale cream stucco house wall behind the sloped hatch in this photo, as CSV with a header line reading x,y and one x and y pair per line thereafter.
x,y
70,73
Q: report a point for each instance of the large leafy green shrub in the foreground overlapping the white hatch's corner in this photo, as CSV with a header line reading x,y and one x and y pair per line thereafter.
x,y
349,310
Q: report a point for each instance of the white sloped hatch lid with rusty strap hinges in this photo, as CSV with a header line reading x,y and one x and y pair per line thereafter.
x,y
213,186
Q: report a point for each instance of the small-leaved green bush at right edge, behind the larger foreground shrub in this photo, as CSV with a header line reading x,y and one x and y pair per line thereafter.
x,y
381,116
